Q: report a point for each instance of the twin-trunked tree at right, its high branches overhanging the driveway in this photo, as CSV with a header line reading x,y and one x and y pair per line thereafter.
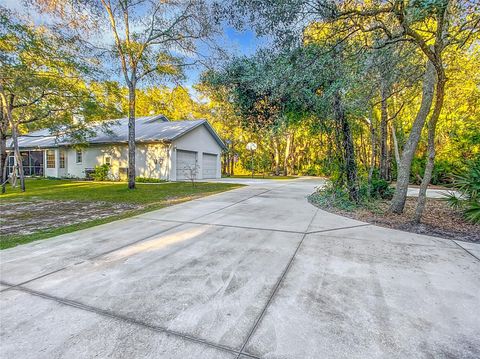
x,y
431,26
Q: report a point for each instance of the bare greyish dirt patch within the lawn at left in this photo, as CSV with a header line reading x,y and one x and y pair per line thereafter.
x,y
28,217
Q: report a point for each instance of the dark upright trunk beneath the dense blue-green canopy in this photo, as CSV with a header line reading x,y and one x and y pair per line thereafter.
x,y
347,142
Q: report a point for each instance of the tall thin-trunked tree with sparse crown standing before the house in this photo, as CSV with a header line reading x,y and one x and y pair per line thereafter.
x,y
149,37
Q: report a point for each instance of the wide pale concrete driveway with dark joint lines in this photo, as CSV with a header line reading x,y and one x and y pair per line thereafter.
x,y
256,272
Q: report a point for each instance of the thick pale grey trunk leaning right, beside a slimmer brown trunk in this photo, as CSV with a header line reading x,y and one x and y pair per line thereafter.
x,y
403,176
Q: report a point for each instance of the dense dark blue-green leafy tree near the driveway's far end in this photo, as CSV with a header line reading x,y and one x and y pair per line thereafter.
x,y
275,92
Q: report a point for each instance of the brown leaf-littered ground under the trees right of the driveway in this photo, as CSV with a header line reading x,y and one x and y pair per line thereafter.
x,y
439,220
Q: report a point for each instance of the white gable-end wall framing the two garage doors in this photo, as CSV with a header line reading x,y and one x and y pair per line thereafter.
x,y
201,141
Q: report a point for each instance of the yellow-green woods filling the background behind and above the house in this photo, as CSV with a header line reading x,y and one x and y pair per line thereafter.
x,y
365,93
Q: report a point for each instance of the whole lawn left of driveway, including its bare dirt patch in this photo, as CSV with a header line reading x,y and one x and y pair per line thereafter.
x,y
110,201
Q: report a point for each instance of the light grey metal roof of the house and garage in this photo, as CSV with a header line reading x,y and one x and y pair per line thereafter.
x,y
147,129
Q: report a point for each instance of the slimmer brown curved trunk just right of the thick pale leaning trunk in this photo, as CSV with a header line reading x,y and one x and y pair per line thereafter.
x,y
432,124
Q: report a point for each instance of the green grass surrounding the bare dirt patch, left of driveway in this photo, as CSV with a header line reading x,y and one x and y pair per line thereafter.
x,y
149,196
